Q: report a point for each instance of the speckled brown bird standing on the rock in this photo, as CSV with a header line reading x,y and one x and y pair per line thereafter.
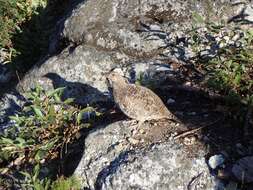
x,y
136,102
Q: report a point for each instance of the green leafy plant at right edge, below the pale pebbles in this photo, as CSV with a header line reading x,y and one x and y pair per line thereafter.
x,y
231,73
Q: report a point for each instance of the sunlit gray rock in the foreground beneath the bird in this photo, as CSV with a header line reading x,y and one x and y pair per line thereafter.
x,y
109,163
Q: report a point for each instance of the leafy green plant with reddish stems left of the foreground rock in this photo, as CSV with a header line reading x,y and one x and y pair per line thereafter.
x,y
42,133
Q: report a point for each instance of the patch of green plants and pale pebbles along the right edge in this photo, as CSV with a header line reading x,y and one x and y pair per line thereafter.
x,y
227,67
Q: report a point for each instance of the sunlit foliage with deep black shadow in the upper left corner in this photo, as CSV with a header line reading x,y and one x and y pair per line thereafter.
x,y
26,27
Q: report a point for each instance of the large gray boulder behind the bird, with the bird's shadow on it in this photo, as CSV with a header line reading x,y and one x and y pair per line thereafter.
x,y
127,34
